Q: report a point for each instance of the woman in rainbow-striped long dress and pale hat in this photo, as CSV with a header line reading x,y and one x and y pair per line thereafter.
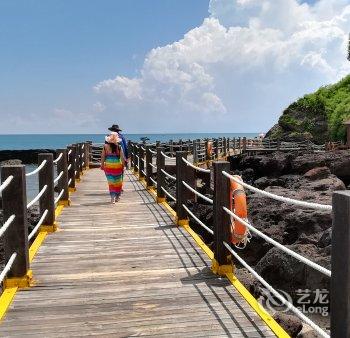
x,y
112,162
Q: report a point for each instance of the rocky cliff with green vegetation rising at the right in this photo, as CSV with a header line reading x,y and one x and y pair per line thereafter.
x,y
317,117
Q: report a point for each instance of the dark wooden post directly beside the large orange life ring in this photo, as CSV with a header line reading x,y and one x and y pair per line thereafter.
x,y
222,261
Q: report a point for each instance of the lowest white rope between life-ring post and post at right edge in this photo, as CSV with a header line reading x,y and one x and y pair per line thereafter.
x,y
290,306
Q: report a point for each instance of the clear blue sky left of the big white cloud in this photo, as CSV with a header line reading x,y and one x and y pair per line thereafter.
x,y
53,52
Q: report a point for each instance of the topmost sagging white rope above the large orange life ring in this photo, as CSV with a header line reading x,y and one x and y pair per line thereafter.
x,y
288,200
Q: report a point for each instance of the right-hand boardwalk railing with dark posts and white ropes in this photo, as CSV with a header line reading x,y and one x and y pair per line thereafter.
x,y
173,179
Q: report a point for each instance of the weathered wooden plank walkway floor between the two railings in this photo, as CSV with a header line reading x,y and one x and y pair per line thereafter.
x,y
125,270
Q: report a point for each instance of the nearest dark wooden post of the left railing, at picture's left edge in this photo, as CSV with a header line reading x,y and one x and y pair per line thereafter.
x,y
14,202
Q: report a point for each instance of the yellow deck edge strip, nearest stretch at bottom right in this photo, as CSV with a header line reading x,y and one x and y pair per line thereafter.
x,y
257,307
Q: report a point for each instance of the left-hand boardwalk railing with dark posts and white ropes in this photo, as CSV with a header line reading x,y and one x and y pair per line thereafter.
x,y
56,179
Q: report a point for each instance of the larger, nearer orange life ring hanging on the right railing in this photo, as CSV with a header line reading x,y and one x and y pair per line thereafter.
x,y
238,205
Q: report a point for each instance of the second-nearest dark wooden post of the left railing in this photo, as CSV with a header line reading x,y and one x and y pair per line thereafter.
x,y
47,201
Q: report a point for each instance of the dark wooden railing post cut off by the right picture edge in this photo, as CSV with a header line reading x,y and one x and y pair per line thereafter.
x,y
340,262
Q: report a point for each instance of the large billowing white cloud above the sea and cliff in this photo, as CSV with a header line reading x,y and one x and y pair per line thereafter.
x,y
239,69
